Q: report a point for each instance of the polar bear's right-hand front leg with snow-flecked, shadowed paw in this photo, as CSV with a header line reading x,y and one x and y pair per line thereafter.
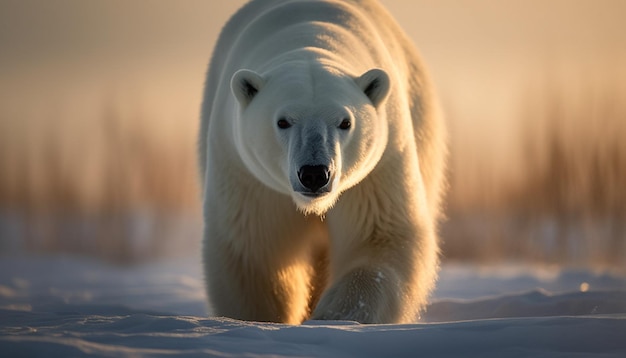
x,y
384,262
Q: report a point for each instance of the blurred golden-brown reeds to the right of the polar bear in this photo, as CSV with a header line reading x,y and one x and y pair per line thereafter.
x,y
565,201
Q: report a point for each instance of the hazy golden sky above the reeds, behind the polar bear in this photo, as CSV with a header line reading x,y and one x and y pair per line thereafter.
x,y
77,46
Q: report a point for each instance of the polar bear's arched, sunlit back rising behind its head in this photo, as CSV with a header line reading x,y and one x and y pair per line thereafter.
x,y
381,43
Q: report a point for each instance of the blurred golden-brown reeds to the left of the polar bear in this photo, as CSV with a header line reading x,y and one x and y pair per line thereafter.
x,y
105,186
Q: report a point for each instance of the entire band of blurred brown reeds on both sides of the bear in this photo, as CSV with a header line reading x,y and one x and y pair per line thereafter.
x,y
111,186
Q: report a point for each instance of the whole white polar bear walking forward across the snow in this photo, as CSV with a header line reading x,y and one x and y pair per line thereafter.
x,y
322,158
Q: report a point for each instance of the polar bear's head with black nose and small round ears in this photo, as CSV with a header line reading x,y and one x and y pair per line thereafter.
x,y
310,133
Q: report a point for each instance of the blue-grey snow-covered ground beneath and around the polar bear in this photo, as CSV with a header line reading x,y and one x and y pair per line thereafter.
x,y
67,307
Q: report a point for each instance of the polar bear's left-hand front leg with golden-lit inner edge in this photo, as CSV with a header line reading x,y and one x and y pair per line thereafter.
x,y
258,258
